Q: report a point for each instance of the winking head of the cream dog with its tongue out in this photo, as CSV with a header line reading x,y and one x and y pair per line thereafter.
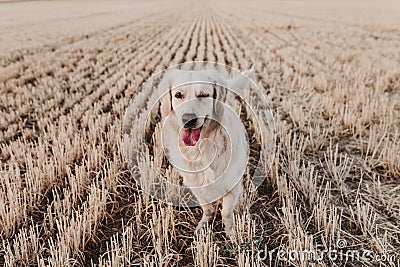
x,y
195,99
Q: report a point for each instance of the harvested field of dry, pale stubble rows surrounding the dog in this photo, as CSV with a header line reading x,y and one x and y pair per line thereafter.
x,y
329,70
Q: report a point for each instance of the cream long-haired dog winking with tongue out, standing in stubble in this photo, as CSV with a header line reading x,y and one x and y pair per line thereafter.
x,y
204,139
